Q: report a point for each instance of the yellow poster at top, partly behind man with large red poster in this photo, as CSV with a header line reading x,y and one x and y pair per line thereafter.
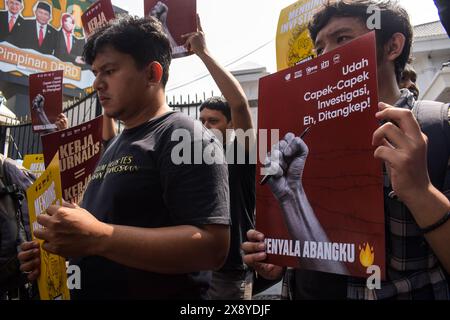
x,y
294,44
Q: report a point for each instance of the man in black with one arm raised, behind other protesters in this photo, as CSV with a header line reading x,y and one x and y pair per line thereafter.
x,y
223,117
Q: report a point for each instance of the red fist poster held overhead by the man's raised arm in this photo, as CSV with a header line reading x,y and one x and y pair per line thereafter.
x,y
178,17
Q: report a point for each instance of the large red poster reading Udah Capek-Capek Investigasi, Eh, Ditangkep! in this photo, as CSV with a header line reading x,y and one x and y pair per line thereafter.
x,y
323,209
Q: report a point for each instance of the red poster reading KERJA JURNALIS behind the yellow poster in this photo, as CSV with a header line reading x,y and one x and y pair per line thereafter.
x,y
79,151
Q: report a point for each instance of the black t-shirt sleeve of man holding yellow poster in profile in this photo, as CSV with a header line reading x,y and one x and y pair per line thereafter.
x,y
195,194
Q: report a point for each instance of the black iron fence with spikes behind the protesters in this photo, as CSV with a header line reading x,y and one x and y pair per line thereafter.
x,y
18,139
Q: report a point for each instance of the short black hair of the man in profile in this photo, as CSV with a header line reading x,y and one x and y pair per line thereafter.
x,y
142,38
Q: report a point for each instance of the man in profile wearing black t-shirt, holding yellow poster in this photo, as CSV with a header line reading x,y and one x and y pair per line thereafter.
x,y
148,224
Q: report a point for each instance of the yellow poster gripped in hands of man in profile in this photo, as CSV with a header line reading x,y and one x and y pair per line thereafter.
x,y
46,191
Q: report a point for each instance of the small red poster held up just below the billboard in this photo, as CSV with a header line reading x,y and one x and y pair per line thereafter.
x,y
45,99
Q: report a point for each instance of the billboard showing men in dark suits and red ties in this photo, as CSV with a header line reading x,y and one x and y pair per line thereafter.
x,y
43,36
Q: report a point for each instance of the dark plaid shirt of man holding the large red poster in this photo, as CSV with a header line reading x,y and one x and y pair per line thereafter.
x,y
413,270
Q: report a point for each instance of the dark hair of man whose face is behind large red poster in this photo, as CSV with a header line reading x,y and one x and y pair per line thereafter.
x,y
394,18
